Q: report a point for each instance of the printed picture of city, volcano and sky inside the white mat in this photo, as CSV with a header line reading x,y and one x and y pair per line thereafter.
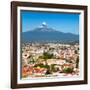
x,y
49,45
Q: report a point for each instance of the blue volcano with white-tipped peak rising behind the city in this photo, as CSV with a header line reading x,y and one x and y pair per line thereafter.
x,y
46,34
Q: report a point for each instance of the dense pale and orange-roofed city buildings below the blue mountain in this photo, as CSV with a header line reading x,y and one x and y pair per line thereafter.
x,y
64,56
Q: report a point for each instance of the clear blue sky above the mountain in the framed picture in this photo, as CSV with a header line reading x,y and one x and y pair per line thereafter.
x,y
59,21
